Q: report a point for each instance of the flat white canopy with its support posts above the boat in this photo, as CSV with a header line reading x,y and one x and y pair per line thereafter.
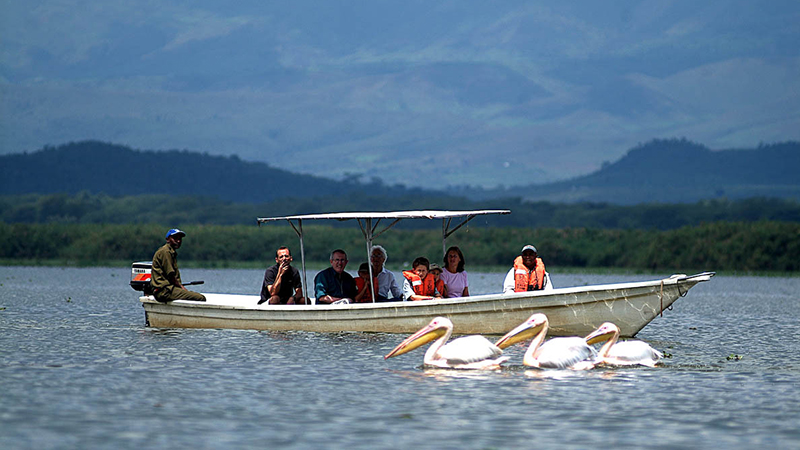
x,y
369,222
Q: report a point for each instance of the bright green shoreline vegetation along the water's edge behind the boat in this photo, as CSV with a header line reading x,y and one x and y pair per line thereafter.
x,y
763,248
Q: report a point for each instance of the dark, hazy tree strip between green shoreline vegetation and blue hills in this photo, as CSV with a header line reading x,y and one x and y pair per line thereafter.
x,y
87,208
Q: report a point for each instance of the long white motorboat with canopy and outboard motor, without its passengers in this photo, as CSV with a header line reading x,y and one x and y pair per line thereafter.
x,y
570,310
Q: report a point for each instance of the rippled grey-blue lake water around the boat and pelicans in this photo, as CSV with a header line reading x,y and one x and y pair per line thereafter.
x,y
78,369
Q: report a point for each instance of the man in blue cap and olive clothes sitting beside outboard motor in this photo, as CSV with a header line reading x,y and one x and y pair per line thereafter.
x,y
165,275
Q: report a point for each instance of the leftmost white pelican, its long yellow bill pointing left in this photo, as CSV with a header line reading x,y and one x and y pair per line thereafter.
x,y
468,352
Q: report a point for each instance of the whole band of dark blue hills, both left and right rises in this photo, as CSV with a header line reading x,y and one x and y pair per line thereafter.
x,y
663,171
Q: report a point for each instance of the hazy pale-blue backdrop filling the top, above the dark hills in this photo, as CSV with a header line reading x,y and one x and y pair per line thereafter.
x,y
415,92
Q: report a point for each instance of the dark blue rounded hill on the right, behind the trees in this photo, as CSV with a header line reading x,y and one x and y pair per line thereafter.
x,y
675,171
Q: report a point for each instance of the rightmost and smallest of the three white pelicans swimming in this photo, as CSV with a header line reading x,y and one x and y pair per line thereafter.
x,y
625,353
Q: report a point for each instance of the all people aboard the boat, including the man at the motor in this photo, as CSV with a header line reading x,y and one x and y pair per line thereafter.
x,y
282,282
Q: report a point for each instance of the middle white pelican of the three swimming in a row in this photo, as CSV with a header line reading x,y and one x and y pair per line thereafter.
x,y
557,353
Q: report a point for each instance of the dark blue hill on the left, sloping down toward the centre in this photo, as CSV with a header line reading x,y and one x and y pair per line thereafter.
x,y
116,170
